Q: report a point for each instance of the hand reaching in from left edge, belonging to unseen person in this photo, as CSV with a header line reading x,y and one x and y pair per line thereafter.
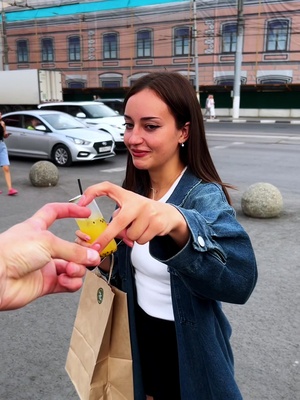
x,y
34,262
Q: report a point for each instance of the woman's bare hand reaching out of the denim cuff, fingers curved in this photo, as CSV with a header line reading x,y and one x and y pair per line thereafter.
x,y
137,219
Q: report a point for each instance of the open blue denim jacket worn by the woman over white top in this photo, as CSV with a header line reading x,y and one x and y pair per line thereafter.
x,y
217,264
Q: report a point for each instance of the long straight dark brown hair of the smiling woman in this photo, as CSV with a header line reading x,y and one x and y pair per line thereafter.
x,y
177,92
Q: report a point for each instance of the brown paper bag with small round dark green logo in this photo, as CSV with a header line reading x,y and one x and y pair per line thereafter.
x,y
99,361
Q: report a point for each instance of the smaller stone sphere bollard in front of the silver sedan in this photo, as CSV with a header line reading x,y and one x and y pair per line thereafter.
x,y
43,173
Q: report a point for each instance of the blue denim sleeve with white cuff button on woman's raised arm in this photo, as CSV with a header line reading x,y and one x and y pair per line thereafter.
x,y
218,262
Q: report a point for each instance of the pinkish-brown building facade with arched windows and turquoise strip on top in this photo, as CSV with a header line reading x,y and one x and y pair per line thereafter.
x,y
101,45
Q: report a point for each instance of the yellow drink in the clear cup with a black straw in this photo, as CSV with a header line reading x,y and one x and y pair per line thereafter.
x,y
94,228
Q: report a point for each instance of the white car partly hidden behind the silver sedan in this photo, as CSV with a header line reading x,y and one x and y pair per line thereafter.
x,y
95,114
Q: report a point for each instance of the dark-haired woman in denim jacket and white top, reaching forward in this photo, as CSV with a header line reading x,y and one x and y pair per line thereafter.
x,y
183,251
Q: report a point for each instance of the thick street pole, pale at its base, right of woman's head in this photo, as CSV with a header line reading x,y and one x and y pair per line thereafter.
x,y
238,60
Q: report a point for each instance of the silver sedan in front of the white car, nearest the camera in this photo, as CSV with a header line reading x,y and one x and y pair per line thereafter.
x,y
54,135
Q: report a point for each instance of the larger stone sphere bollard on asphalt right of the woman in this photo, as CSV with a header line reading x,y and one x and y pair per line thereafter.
x,y
262,200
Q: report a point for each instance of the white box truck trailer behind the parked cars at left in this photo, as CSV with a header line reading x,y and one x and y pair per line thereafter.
x,y
25,89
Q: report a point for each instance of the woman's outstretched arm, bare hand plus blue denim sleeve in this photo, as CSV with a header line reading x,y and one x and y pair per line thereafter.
x,y
203,242
